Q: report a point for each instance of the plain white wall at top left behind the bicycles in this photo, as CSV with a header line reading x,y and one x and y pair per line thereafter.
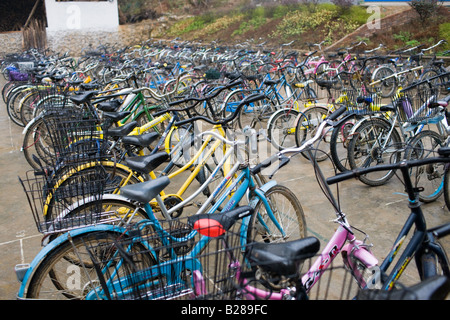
x,y
82,15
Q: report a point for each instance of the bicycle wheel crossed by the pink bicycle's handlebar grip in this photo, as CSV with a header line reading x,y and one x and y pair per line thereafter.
x,y
307,123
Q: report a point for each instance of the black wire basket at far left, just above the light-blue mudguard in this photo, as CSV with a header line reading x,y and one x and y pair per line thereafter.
x,y
52,200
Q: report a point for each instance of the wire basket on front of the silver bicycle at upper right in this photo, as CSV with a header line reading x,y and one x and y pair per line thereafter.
x,y
412,103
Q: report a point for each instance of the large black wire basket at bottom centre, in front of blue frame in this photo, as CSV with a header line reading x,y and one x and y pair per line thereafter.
x,y
164,264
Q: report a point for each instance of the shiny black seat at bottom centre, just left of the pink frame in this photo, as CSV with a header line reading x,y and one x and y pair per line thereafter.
x,y
283,258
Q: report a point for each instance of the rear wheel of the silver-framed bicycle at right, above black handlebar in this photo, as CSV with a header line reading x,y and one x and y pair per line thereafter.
x,y
372,144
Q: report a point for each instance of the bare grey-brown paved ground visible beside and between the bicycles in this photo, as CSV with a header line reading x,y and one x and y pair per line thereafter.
x,y
380,211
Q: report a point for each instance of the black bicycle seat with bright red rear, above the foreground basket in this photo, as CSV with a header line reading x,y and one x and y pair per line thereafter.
x,y
215,224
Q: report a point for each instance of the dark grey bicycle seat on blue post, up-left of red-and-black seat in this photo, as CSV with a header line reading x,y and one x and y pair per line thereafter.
x,y
145,191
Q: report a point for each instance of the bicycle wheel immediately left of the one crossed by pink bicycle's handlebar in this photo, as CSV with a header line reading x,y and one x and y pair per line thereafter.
x,y
281,128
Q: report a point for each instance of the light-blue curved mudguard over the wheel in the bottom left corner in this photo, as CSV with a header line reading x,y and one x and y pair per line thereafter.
x,y
53,245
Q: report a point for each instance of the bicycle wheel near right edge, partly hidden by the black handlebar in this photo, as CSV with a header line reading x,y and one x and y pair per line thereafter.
x,y
429,177
